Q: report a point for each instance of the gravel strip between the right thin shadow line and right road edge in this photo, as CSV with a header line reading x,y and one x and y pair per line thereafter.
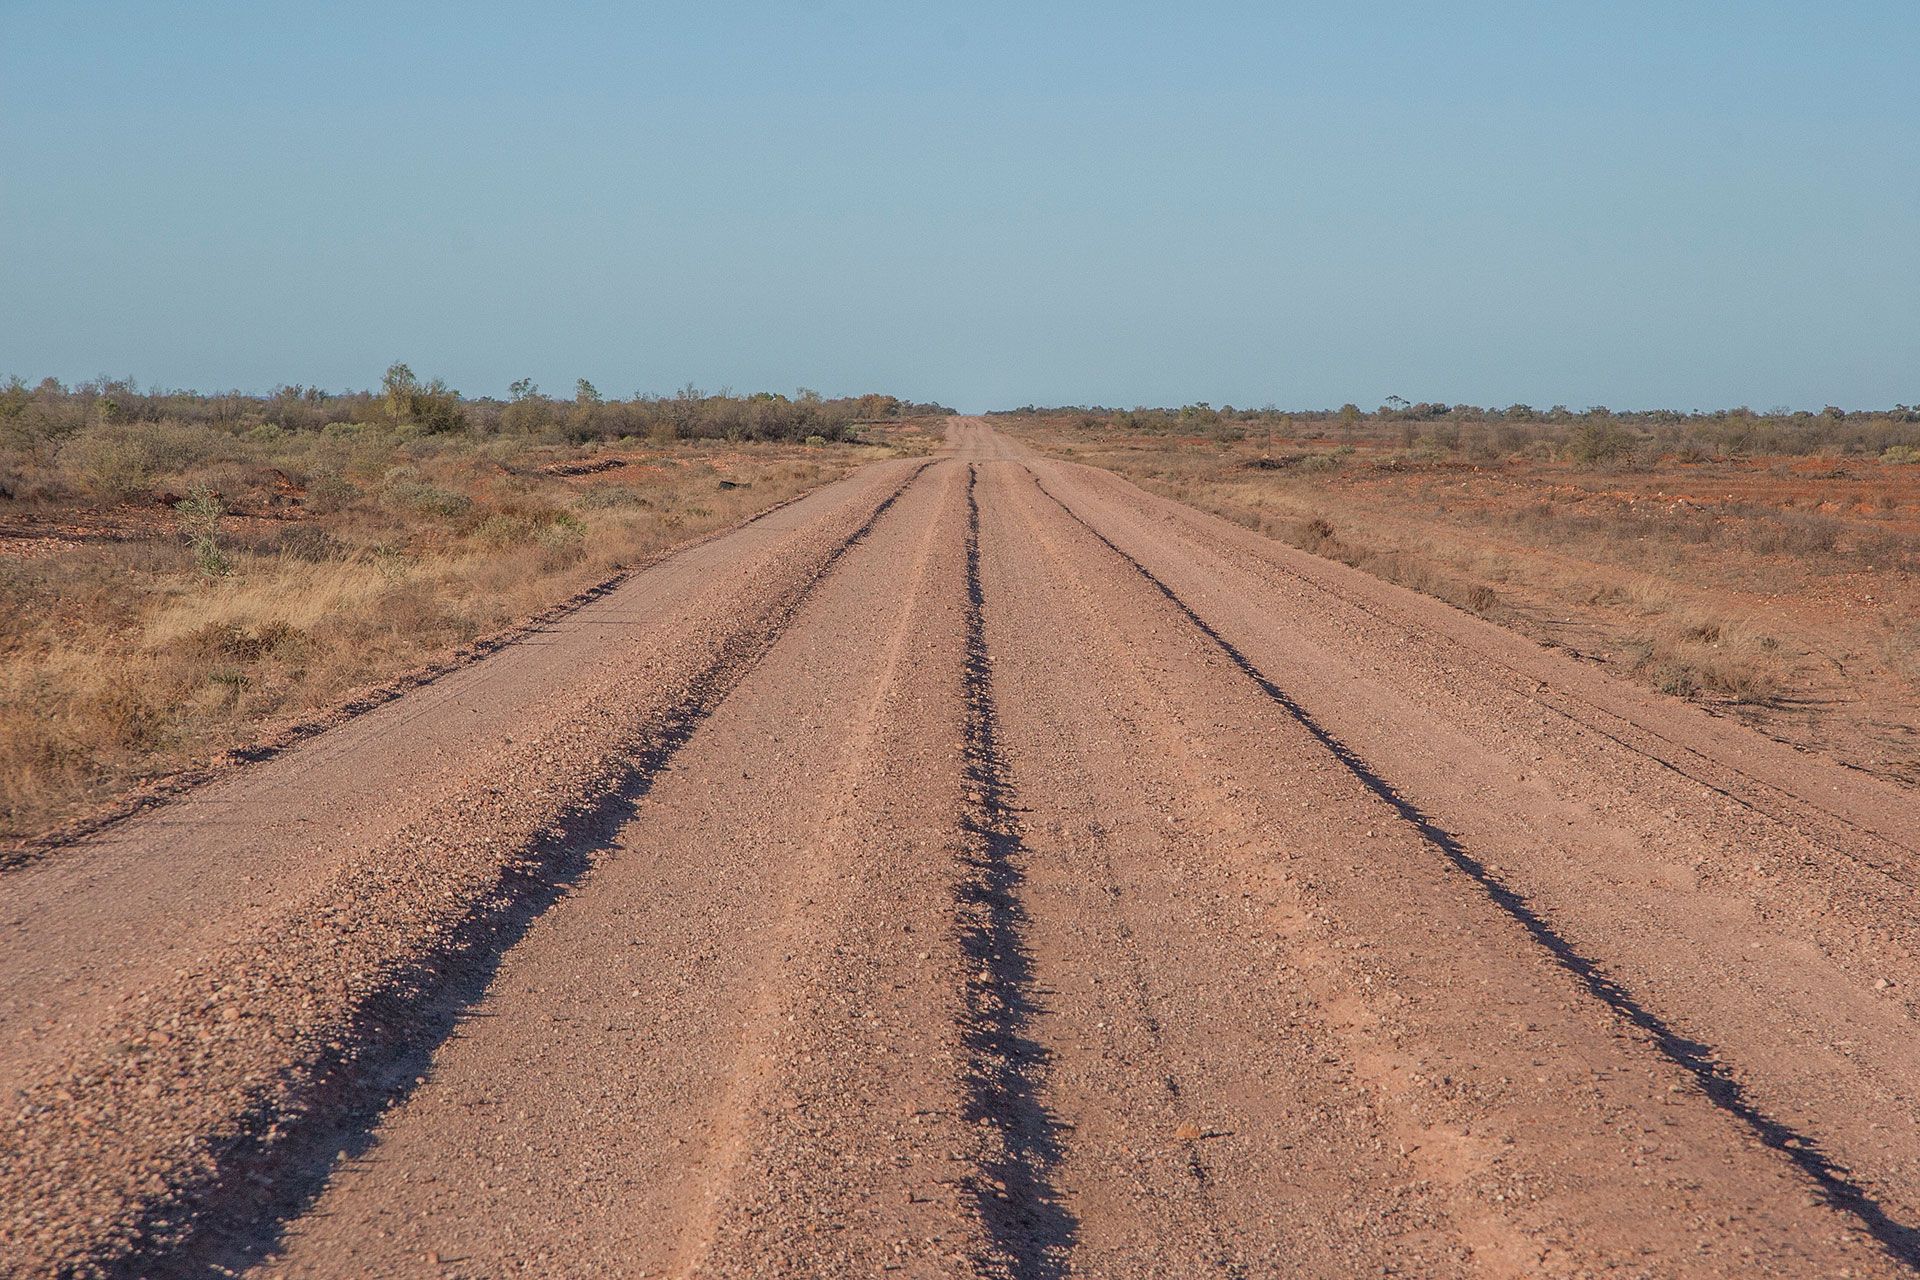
x,y
1769,924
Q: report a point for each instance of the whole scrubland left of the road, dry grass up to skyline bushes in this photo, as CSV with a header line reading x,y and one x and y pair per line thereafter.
x,y
185,575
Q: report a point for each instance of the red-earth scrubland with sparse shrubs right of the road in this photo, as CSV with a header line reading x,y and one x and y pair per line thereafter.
x,y
1765,565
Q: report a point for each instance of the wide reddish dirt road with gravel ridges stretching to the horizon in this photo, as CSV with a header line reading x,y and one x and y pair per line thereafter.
x,y
982,868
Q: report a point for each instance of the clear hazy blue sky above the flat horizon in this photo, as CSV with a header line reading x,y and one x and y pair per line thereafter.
x,y
988,204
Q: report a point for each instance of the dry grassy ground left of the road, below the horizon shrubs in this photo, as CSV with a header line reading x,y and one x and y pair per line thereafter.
x,y
352,557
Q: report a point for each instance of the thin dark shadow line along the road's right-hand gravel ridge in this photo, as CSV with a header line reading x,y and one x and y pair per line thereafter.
x,y
1691,1055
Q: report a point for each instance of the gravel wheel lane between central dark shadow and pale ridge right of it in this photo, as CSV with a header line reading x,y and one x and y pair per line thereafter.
x,y
1193,1114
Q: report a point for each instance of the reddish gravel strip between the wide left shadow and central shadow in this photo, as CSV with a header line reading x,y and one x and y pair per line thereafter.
x,y
756,1003
